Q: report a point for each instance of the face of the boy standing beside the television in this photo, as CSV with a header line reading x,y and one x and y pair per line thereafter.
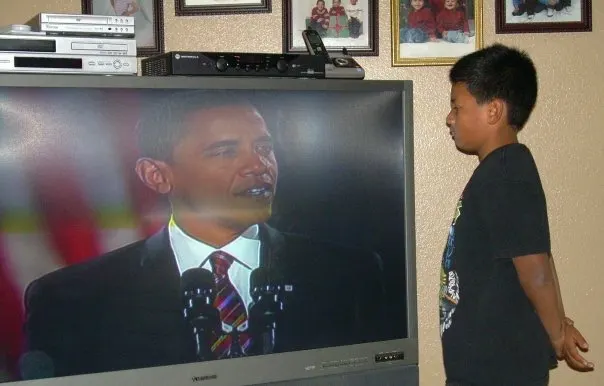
x,y
467,120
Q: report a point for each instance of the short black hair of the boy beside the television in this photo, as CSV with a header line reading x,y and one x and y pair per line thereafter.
x,y
500,72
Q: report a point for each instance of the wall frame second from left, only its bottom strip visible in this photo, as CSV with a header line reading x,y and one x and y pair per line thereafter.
x,y
220,7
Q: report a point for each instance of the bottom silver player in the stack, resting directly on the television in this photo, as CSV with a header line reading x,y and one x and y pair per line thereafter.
x,y
12,62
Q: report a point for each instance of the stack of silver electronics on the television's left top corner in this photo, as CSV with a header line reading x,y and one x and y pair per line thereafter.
x,y
70,44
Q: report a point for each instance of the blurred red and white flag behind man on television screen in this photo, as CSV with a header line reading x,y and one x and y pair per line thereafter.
x,y
68,191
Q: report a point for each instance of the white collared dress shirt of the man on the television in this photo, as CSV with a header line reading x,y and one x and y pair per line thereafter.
x,y
192,253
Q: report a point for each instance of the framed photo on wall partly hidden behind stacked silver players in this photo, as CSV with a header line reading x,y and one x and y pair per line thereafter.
x,y
148,20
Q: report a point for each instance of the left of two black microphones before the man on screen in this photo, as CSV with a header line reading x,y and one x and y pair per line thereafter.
x,y
199,293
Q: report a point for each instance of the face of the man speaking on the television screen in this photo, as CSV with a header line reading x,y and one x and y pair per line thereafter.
x,y
224,167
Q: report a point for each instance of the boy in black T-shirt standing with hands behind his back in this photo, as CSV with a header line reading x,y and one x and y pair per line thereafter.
x,y
502,318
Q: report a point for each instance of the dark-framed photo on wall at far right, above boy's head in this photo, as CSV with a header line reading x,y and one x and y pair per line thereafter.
x,y
529,16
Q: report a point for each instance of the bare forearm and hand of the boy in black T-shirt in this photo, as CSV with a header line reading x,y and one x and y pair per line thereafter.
x,y
538,277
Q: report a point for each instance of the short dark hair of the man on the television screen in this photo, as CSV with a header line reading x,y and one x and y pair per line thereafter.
x,y
162,123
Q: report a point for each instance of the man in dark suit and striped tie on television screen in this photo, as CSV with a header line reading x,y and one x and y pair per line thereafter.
x,y
212,156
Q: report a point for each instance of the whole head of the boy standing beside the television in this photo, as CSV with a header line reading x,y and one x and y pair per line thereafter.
x,y
501,83
